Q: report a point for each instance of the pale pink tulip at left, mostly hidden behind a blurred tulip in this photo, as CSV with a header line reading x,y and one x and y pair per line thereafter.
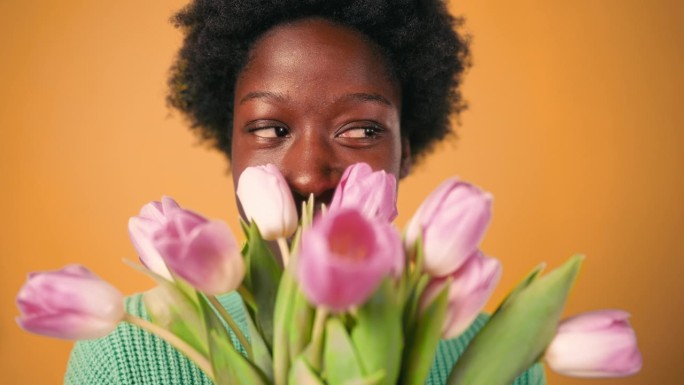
x,y
151,218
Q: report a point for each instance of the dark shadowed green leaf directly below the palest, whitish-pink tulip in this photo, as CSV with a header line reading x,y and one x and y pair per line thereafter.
x,y
263,276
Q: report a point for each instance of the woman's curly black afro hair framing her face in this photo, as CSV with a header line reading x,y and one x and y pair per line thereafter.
x,y
419,39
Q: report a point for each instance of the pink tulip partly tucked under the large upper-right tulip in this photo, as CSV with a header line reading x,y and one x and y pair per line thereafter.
x,y
472,285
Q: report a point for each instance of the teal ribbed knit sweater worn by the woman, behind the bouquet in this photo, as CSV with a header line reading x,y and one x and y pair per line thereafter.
x,y
130,356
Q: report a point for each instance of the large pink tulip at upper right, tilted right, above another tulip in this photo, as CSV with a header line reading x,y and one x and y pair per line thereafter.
x,y
452,221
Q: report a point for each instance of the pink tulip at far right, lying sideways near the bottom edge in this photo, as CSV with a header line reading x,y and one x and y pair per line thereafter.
x,y
595,344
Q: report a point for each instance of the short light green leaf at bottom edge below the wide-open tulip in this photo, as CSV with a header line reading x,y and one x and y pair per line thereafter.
x,y
340,359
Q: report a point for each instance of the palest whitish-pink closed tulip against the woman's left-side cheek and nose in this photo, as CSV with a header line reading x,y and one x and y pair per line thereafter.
x,y
267,200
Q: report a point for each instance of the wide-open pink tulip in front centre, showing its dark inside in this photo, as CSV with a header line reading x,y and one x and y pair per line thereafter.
x,y
344,257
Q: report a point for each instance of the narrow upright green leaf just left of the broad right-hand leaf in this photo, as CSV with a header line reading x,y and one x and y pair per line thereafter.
x,y
423,340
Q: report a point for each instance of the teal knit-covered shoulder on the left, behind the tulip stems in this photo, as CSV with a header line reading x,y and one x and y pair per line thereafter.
x,y
130,355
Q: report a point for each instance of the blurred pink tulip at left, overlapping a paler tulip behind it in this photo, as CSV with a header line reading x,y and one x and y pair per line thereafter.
x,y
202,252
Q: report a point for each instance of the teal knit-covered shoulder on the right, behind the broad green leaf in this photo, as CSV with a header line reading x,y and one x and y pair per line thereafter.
x,y
450,350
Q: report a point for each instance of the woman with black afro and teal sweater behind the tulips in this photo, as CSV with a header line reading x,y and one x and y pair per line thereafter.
x,y
312,87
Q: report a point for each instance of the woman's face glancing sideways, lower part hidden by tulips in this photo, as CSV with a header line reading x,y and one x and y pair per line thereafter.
x,y
314,98
